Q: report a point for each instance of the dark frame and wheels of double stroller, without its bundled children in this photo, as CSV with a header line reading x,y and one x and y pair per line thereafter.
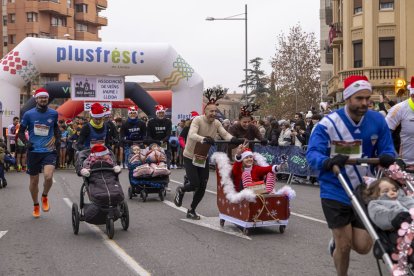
x,y
145,184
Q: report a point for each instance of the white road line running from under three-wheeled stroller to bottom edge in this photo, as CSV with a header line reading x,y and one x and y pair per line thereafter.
x,y
115,248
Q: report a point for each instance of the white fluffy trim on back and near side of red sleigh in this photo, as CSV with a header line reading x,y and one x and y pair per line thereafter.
x,y
223,164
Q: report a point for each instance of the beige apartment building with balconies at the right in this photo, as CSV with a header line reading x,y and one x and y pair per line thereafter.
x,y
371,38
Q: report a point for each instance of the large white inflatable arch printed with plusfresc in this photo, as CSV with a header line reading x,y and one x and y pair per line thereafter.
x,y
36,55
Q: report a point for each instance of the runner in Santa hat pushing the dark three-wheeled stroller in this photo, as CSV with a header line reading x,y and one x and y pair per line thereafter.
x,y
95,131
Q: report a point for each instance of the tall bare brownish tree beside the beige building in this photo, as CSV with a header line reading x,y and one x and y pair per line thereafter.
x,y
295,79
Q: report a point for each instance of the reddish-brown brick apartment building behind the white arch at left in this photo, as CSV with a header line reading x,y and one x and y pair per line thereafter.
x,y
54,19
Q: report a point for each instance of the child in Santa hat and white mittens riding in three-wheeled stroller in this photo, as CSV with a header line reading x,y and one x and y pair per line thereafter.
x,y
99,154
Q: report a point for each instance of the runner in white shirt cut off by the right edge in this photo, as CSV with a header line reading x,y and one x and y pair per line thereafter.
x,y
403,114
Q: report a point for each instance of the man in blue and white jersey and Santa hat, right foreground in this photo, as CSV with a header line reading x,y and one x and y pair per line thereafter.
x,y
355,129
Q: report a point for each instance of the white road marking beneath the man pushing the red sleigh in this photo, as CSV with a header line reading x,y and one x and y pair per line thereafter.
x,y
210,222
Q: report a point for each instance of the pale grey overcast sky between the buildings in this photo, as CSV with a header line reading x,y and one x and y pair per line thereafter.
x,y
215,49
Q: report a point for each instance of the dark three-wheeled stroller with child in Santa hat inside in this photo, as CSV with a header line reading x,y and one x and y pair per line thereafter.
x,y
101,184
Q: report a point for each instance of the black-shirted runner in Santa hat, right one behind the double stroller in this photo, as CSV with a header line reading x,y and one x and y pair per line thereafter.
x,y
159,129
